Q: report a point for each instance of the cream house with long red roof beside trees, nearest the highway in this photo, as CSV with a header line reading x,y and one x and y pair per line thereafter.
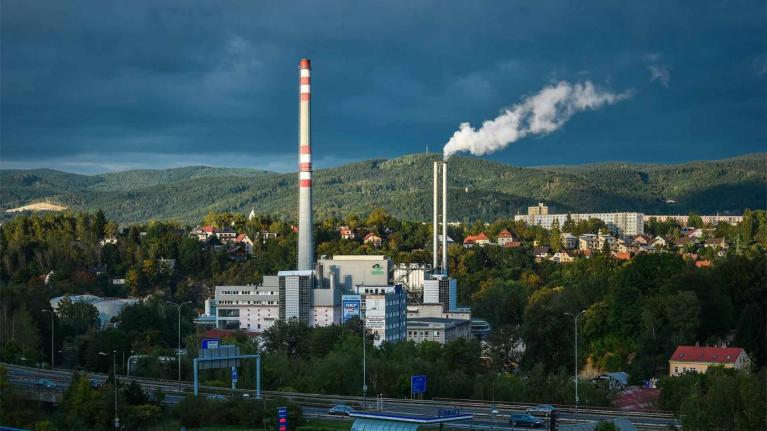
x,y
697,359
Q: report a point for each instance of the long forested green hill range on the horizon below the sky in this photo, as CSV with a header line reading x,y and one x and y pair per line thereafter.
x,y
477,189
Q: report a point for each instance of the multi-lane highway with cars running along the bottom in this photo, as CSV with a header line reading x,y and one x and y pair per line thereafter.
x,y
316,405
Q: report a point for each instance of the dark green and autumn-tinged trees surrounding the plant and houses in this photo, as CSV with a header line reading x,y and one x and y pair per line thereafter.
x,y
636,312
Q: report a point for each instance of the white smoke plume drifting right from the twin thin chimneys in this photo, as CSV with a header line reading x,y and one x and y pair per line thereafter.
x,y
540,114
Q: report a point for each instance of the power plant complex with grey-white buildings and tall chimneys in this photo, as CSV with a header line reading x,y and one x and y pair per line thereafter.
x,y
333,290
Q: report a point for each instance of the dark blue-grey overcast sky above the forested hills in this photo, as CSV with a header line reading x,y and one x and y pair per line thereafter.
x,y
94,86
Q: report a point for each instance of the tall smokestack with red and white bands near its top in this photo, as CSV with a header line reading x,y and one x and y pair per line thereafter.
x,y
305,247
